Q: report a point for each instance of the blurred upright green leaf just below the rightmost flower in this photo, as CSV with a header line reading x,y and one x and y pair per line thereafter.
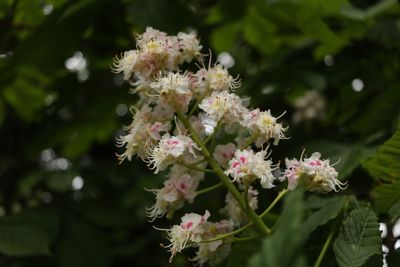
x,y
283,246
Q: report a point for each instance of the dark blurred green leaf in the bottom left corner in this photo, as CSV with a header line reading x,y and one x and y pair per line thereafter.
x,y
23,240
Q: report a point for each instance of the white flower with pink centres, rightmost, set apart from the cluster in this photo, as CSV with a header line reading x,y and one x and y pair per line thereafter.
x,y
313,173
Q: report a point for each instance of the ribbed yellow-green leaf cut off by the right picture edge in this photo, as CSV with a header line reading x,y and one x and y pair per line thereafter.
x,y
384,164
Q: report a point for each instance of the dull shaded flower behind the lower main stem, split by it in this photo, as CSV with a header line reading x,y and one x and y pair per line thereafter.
x,y
234,211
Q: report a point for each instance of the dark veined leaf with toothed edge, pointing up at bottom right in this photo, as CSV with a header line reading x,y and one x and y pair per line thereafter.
x,y
359,238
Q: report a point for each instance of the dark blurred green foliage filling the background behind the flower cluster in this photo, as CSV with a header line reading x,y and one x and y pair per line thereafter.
x,y
64,201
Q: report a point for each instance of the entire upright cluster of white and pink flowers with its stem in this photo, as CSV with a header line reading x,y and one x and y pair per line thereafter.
x,y
191,126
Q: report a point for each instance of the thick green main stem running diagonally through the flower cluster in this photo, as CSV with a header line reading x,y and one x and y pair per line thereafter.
x,y
258,222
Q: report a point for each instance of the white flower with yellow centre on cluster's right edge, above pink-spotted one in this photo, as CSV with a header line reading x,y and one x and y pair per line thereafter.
x,y
265,124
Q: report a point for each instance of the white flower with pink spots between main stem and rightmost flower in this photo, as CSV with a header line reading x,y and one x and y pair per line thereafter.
x,y
246,166
